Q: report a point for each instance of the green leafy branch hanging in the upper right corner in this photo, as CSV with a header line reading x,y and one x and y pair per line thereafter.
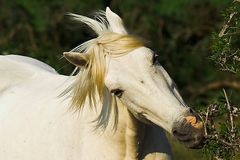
x,y
225,45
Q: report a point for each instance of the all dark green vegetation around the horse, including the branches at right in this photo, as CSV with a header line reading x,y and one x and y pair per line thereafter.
x,y
198,44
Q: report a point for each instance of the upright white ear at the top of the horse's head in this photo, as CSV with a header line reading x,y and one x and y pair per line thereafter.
x,y
115,22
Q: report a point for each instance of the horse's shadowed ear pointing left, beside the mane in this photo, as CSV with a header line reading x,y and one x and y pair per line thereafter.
x,y
76,58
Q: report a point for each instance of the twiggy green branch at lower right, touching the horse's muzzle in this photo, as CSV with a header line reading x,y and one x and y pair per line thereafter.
x,y
222,132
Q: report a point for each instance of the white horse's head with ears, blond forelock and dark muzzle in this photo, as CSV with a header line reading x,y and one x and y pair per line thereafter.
x,y
118,66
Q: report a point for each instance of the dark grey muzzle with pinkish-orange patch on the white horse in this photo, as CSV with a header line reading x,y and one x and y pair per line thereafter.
x,y
189,131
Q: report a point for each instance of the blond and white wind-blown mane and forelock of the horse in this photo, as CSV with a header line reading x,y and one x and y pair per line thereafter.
x,y
89,81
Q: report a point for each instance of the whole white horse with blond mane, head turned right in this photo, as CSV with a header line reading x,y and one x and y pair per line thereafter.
x,y
121,96
